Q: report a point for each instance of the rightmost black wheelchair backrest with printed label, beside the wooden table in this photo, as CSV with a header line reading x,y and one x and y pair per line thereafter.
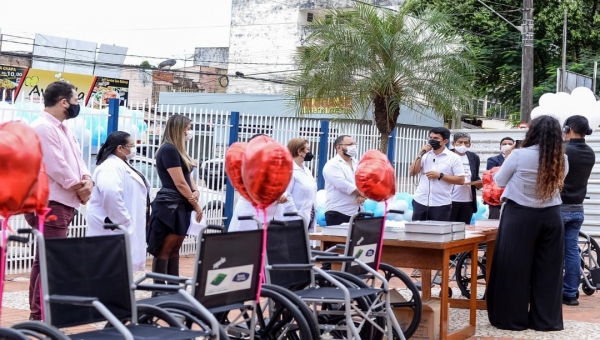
x,y
363,243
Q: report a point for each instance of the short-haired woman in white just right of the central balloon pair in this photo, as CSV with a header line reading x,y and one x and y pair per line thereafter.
x,y
302,190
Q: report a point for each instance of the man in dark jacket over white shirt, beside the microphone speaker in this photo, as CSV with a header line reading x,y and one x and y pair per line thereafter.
x,y
464,197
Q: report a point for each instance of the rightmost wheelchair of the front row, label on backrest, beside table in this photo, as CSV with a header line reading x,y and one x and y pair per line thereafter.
x,y
364,241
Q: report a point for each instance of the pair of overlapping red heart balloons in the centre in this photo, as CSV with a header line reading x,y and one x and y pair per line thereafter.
x,y
260,170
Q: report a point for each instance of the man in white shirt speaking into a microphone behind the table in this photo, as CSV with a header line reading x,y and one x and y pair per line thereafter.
x,y
439,170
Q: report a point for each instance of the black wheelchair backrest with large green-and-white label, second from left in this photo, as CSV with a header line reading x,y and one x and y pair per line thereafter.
x,y
228,267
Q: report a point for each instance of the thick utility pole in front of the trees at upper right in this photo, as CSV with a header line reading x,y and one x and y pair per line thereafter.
x,y
527,62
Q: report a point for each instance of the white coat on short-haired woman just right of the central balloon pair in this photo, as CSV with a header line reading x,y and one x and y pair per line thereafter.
x,y
302,193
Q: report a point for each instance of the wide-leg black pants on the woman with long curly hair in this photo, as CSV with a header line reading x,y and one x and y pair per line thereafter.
x,y
525,287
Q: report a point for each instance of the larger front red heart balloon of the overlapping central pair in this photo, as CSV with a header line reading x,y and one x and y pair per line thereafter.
x,y
267,170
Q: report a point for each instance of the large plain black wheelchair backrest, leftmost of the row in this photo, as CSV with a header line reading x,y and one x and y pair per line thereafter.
x,y
97,267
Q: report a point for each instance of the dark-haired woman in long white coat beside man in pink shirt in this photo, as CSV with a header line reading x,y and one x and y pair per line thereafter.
x,y
120,195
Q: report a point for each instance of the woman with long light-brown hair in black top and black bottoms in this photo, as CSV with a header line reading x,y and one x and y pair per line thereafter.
x,y
175,201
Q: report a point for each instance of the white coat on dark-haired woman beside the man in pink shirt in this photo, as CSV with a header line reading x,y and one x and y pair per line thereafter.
x,y
120,194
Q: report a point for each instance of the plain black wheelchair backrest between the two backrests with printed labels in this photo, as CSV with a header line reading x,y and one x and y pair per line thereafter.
x,y
287,243
